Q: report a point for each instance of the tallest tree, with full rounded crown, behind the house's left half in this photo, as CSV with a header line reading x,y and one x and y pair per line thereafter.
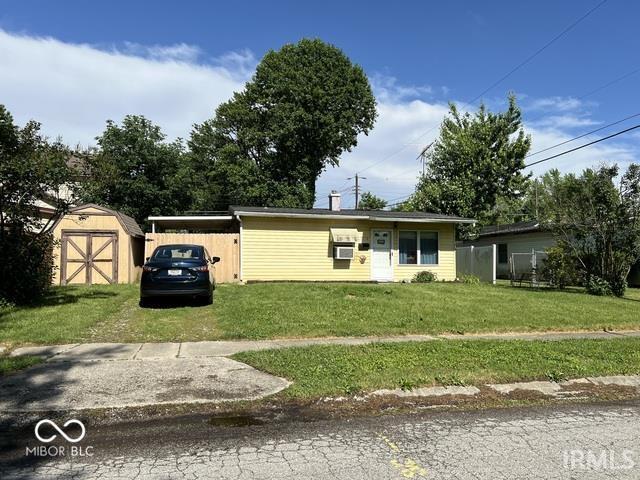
x,y
305,105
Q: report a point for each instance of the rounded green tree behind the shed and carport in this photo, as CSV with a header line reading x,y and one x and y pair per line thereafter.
x,y
137,171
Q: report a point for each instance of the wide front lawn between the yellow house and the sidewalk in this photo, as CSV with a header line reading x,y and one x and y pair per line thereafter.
x,y
111,313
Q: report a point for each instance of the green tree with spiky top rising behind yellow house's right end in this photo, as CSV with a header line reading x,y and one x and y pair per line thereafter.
x,y
476,161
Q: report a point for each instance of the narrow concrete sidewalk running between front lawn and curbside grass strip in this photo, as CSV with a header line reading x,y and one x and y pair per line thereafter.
x,y
193,350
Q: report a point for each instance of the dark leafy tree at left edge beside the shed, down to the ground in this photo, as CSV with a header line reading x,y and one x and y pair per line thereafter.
x,y
32,169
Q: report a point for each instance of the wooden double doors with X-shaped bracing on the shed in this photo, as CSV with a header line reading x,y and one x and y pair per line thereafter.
x,y
89,257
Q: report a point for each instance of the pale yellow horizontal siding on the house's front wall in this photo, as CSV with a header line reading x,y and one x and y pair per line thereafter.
x,y
301,249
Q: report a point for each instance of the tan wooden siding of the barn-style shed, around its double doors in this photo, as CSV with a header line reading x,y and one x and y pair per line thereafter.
x,y
91,219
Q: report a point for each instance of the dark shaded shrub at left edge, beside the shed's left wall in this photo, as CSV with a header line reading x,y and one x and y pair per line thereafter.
x,y
26,270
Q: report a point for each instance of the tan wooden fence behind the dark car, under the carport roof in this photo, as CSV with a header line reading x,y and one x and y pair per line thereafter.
x,y
223,245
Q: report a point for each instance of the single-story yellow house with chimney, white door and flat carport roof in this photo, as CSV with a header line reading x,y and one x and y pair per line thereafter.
x,y
327,244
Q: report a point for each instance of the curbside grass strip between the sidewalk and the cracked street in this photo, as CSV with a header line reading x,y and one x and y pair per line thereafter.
x,y
336,370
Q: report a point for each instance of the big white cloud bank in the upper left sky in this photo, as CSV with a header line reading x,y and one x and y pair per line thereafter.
x,y
72,89
